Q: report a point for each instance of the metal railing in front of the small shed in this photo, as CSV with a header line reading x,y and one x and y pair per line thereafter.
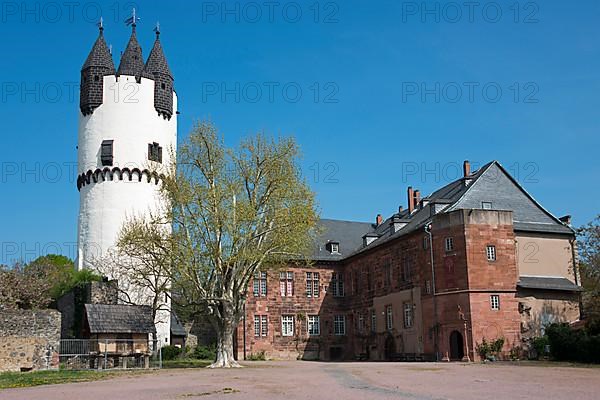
x,y
103,354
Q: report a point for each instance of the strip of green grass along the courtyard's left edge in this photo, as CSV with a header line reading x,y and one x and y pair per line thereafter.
x,y
36,378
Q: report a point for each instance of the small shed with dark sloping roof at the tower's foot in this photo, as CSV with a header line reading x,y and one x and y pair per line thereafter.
x,y
118,328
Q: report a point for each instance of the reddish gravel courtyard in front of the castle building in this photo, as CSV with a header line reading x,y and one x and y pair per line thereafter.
x,y
317,380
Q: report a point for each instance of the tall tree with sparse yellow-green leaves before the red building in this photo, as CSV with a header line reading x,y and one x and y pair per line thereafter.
x,y
234,211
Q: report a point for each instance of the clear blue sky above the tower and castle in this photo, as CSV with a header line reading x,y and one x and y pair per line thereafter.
x,y
392,94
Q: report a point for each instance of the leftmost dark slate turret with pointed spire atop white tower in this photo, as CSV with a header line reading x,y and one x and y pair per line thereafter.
x,y
98,64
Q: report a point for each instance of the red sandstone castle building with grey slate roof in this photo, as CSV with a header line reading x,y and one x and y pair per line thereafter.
x,y
477,259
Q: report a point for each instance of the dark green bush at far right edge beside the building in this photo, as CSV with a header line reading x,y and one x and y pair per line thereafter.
x,y
567,344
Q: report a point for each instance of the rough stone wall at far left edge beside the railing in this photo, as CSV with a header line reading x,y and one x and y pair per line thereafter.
x,y
29,340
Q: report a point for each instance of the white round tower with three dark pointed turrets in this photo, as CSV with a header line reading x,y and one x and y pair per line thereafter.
x,y
127,134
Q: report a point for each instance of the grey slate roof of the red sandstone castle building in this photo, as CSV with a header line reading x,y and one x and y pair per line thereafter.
x,y
490,183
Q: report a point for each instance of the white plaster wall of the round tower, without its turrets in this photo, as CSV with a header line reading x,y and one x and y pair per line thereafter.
x,y
127,116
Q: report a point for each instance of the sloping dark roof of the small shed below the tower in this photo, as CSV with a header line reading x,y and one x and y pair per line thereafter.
x,y
118,318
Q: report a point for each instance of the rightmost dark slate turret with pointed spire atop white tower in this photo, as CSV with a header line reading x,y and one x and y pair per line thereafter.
x,y
158,69
